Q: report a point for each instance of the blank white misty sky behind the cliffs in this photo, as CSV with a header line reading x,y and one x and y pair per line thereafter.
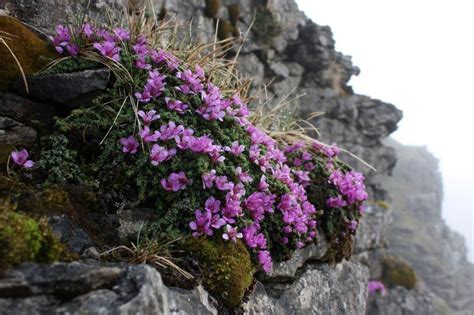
x,y
419,56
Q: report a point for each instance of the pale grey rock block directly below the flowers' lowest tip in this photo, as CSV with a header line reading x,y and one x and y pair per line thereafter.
x,y
319,290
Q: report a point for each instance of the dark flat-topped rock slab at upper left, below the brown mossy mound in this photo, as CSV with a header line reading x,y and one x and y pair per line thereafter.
x,y
73,89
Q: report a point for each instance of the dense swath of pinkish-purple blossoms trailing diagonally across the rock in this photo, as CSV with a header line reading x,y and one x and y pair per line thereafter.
x,y
253,190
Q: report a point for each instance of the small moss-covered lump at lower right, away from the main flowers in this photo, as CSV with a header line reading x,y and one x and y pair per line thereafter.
x,y
396,272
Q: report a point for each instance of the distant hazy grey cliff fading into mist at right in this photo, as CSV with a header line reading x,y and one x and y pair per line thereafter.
x,y
420,235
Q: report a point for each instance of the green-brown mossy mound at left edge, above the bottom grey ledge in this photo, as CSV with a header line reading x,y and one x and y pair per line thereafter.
x,y
22,238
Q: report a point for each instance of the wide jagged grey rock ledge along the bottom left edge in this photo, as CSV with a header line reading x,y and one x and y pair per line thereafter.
x,y
77,288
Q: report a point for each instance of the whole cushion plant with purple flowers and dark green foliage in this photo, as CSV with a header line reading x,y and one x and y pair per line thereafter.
x,y
181,140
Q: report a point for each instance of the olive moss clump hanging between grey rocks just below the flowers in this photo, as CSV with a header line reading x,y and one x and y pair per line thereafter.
x,y
226,268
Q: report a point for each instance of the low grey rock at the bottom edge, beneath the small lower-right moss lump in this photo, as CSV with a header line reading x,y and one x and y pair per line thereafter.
x,y
400,301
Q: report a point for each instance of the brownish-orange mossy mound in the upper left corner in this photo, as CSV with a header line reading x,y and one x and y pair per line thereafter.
x,y
32,52
